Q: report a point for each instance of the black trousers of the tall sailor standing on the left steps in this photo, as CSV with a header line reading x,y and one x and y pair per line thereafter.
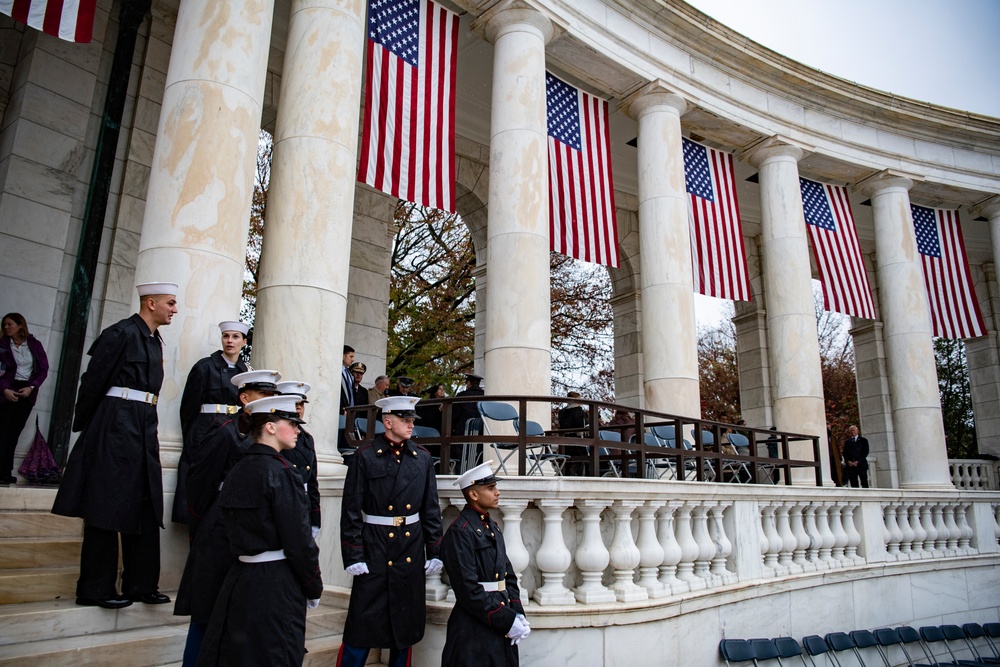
x,y
140,559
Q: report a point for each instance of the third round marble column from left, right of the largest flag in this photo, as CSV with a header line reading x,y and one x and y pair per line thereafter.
x,y
517,356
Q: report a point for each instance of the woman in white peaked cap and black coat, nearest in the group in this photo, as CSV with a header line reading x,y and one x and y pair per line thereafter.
x,y
260,615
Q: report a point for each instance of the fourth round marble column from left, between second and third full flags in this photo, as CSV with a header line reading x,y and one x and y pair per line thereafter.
x,y
669,341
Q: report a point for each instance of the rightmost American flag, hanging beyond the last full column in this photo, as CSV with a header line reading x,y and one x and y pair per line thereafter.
x,y
955,310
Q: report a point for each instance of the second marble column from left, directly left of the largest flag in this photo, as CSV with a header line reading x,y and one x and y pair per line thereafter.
x,y
307,235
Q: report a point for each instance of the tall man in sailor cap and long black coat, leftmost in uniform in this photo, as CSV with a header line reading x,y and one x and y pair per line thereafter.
x,y
113,479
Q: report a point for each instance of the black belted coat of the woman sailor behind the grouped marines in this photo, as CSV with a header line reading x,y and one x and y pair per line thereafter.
x,y
208,382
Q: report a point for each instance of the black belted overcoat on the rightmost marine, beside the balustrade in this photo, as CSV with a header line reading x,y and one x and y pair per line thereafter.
x,y
473,551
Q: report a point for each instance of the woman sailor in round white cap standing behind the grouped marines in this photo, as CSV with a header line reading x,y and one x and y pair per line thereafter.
x,y
209,400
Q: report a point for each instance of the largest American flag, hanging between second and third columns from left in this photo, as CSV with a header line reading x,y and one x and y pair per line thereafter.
x,y
408,143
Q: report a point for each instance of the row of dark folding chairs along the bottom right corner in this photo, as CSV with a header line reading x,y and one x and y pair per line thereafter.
x,y
930,646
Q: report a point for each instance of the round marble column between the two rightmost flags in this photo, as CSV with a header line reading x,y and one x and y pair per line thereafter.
x,y
905,314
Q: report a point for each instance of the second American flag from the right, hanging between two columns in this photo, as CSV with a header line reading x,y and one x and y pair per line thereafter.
x,y
836,249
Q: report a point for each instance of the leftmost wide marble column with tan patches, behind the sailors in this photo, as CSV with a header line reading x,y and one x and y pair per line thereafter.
x,y
201,180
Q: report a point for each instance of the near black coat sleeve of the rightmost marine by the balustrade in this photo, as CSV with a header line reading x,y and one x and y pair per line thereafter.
x,y
459,556
